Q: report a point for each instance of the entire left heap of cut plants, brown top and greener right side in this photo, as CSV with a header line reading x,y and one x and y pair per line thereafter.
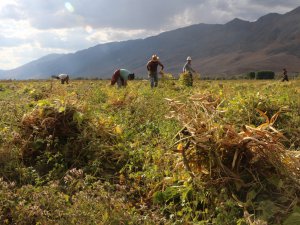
x,y
57,134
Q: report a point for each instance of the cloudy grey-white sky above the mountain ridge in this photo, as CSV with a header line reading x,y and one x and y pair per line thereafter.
x,y
30,29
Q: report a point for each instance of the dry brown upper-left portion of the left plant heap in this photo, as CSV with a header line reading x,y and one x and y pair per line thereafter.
x,y
49,126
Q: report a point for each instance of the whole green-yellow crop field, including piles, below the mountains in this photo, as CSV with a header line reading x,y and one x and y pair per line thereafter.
x,y
89,153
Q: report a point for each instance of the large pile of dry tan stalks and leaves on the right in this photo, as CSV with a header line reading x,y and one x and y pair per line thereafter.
x,y
251,166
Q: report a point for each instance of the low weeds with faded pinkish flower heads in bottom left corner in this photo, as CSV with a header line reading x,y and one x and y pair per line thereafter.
x,y
88,203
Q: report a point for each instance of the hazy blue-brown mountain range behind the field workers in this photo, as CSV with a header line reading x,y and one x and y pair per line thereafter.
x,y
270,43
